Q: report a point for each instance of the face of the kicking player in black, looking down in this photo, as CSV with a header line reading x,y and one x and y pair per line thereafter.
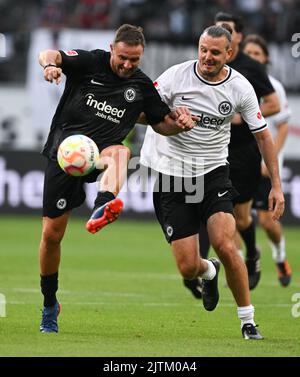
x,y
125,58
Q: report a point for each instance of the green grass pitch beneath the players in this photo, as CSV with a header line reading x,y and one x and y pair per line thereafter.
x,y
121,295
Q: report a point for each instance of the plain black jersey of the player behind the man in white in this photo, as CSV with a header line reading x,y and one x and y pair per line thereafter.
x,y
256,74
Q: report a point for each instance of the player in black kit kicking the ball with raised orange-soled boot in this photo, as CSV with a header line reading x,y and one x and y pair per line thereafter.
x,y
105,93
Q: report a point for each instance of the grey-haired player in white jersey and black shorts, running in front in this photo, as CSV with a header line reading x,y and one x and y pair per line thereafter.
x,y
198,159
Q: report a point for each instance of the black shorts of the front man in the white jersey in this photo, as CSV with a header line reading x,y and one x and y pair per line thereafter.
x,y
179,218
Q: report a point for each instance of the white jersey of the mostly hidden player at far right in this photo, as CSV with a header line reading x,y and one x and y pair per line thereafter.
x,y
283,116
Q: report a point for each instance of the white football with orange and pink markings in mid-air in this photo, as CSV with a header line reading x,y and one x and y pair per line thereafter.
x,y
77,155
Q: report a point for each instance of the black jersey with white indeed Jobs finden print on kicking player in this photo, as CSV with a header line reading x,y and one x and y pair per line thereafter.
x,y
98,103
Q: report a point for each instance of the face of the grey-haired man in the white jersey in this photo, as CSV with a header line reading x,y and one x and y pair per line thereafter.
x,y
213,54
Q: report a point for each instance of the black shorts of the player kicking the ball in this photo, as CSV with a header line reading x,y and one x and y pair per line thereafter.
x,y
63,192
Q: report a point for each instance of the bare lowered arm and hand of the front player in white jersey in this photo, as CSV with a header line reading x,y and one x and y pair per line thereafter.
x,y
267,148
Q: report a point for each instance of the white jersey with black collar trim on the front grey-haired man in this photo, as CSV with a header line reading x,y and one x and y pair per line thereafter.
x,y
205,147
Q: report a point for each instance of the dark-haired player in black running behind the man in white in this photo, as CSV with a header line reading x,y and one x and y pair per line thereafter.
x,y
244,156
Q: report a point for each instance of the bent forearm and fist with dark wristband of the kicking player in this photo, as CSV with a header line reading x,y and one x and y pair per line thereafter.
x,y
51,61
